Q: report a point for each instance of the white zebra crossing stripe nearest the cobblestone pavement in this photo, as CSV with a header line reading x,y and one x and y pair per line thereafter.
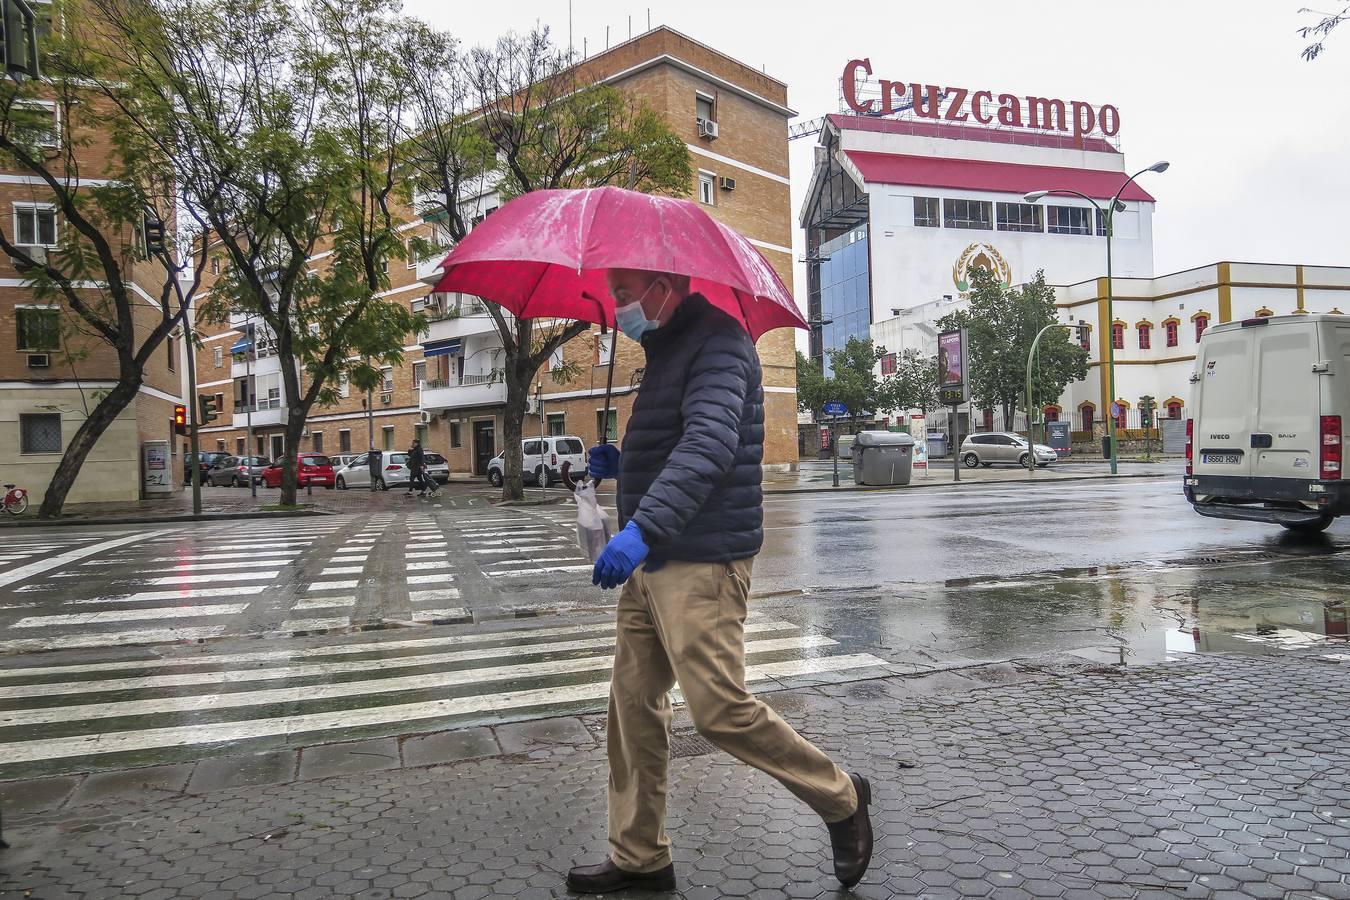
x,y
346,720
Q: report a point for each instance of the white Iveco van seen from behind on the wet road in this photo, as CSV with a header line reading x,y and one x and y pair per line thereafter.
x,y
1271,403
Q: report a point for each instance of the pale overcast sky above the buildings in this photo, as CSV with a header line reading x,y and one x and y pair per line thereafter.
x,y
1258,138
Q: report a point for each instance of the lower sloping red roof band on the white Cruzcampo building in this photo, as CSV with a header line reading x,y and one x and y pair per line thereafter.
x,y
994,177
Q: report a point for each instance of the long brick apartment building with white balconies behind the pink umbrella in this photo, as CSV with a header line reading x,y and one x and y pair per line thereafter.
x,y
449,391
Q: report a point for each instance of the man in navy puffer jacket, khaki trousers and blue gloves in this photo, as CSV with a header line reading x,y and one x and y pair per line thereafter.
x,y
692,505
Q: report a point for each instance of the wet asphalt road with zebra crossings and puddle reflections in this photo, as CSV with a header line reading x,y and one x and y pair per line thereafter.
x,y
134,646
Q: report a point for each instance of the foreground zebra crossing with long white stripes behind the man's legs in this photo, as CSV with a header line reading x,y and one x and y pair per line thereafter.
x,y
75,717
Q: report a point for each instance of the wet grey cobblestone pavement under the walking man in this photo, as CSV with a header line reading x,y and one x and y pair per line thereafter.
x,y
1208,777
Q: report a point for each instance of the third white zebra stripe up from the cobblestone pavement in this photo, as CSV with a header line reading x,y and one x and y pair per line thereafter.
x,y
344,650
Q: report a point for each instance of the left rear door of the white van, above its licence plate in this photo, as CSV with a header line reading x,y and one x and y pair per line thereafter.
x,y
1228,370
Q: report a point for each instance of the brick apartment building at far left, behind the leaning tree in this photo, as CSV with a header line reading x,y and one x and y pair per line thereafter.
x,y
51,376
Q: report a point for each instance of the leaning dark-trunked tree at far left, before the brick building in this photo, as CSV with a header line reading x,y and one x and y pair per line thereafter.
x,y
91,271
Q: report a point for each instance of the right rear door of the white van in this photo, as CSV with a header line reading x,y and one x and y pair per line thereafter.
x,y
1285,437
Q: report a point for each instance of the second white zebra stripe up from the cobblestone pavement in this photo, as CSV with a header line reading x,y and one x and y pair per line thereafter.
x,y
315,670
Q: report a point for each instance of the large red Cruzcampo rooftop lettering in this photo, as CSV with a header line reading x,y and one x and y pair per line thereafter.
x,y
979,107
